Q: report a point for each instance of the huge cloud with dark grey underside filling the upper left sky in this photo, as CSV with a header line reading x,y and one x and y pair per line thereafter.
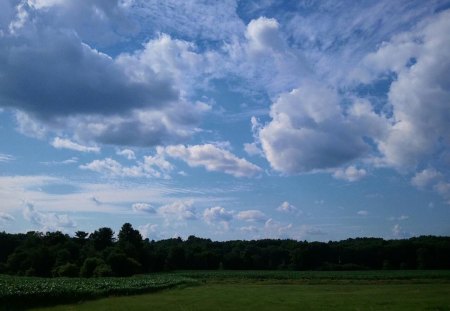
x,y
57,81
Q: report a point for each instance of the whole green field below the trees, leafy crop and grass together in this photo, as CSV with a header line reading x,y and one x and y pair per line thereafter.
x,y
246,290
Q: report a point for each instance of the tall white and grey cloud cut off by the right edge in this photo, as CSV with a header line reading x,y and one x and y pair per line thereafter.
x,y
420,93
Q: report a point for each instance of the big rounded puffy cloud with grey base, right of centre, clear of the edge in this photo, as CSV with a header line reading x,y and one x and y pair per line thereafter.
x,y
308,132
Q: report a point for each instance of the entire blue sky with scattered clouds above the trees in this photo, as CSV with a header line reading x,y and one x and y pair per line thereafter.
x,y
308,120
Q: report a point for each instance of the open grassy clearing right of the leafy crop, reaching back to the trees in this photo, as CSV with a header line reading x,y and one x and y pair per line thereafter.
x,y
275,290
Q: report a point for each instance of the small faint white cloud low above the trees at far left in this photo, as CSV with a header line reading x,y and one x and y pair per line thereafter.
x,y
47,221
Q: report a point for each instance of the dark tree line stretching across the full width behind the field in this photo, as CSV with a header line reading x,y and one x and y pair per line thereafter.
x,y
101,253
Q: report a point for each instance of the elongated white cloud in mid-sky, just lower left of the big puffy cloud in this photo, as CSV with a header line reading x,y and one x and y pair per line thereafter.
x,y
213,159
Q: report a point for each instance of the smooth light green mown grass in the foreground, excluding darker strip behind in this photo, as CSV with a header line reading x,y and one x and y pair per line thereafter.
x,y
250,296
